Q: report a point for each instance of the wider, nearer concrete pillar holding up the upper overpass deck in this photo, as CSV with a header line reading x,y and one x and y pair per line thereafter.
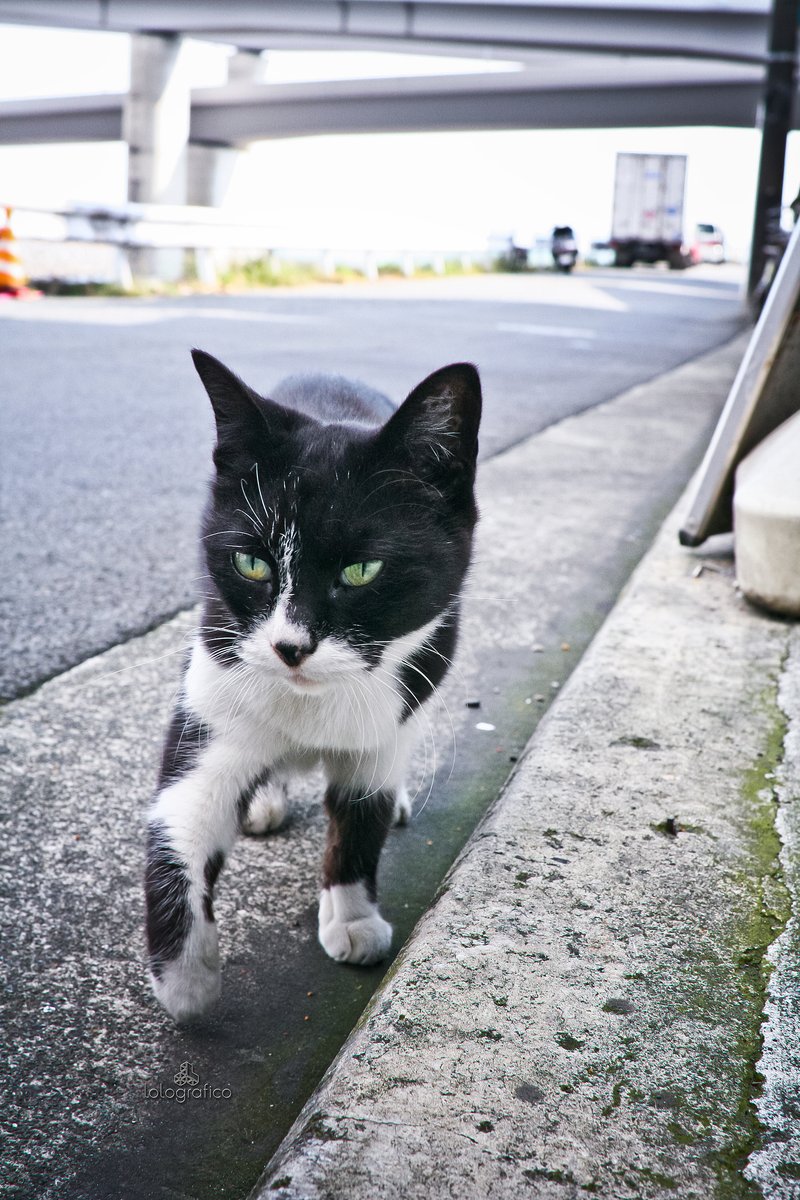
x,y
157,128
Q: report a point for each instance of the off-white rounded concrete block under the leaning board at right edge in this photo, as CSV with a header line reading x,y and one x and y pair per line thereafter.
x,y
767,521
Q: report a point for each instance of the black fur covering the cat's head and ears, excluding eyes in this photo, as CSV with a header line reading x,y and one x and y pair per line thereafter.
x,y
311,496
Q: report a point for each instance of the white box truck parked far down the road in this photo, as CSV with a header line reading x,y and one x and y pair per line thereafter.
x,y
648,221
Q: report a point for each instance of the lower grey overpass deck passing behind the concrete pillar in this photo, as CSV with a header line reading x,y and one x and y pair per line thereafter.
x,y
579,92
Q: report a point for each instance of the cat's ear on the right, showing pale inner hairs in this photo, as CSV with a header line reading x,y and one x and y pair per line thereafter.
x,y
438,423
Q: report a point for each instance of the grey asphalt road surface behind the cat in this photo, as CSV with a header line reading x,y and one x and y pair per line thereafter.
x,y
106,433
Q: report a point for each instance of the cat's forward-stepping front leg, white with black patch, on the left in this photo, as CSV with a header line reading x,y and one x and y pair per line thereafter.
x,y
193,826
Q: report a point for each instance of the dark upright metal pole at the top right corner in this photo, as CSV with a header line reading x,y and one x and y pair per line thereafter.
x,y
779,109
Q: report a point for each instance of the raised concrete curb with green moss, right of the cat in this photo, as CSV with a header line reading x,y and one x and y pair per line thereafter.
x,y
581,1011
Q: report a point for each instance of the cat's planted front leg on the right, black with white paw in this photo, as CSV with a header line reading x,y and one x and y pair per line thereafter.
x,y
351,927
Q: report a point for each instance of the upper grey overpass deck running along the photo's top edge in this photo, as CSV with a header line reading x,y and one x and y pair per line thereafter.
x,y
733,32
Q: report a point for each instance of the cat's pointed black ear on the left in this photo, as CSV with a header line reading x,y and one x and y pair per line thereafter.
x,y
245,421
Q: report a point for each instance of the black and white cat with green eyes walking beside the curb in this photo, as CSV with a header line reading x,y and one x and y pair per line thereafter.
x,y
336,541
